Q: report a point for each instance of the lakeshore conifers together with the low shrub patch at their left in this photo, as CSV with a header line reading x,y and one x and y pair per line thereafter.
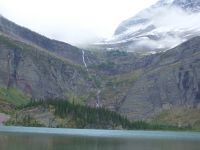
x,y
85,117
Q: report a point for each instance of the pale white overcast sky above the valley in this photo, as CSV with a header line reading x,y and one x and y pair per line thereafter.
x,y
73,21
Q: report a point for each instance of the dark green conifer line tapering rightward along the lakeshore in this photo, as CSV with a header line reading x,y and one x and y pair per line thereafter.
x,y
99,118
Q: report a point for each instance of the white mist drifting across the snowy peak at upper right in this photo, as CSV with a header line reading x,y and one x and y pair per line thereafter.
x,y
172,26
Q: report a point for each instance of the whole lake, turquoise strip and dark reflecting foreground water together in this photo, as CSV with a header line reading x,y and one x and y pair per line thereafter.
x,y
21,138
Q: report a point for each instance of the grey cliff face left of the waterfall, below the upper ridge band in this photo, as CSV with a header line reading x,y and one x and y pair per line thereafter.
x,y
39,73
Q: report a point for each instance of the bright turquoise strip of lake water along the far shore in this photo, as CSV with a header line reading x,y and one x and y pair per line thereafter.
x,y
101,133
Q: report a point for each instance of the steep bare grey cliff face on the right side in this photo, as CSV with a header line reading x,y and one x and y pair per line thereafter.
x,y
173,79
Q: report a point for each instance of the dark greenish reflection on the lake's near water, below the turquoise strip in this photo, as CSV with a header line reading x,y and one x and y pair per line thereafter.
x,y
27,141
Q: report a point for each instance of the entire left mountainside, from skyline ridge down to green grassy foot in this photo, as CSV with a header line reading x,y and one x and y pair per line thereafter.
x,y
39,67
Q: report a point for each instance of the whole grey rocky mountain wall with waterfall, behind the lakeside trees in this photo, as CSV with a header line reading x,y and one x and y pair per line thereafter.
x,y
140,87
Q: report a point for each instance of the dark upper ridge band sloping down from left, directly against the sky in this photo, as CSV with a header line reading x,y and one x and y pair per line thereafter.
x,y
62,49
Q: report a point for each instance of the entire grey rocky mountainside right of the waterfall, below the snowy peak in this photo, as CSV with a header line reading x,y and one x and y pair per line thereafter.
x,y
143,86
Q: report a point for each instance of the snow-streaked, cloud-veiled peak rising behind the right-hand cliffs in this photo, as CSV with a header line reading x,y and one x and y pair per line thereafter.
x,y
160,27
